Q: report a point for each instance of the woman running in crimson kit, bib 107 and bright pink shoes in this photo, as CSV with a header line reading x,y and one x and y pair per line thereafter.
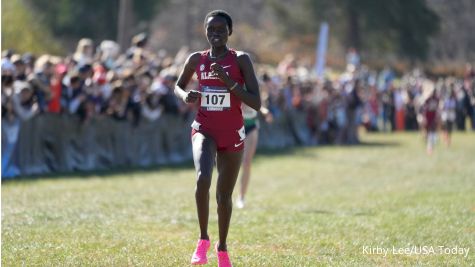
x,y
218,129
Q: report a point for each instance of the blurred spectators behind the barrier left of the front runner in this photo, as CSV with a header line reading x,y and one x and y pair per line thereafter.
x,y
92,81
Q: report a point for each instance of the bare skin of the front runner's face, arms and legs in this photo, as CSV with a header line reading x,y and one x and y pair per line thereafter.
x,y
204,147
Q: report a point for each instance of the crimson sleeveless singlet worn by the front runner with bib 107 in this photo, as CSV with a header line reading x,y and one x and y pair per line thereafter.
x,y
219,109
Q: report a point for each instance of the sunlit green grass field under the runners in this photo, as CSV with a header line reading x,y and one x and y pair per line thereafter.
x,y
321,206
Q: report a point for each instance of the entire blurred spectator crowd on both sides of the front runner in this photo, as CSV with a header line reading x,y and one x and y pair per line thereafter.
x,y
99,80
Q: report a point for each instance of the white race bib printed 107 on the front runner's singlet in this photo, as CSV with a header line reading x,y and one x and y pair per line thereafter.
x,y
215,98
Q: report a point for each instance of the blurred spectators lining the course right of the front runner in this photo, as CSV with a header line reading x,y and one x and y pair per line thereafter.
x,y
336,105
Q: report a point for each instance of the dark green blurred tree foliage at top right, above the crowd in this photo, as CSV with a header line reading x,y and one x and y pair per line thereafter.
x,y
405,26
